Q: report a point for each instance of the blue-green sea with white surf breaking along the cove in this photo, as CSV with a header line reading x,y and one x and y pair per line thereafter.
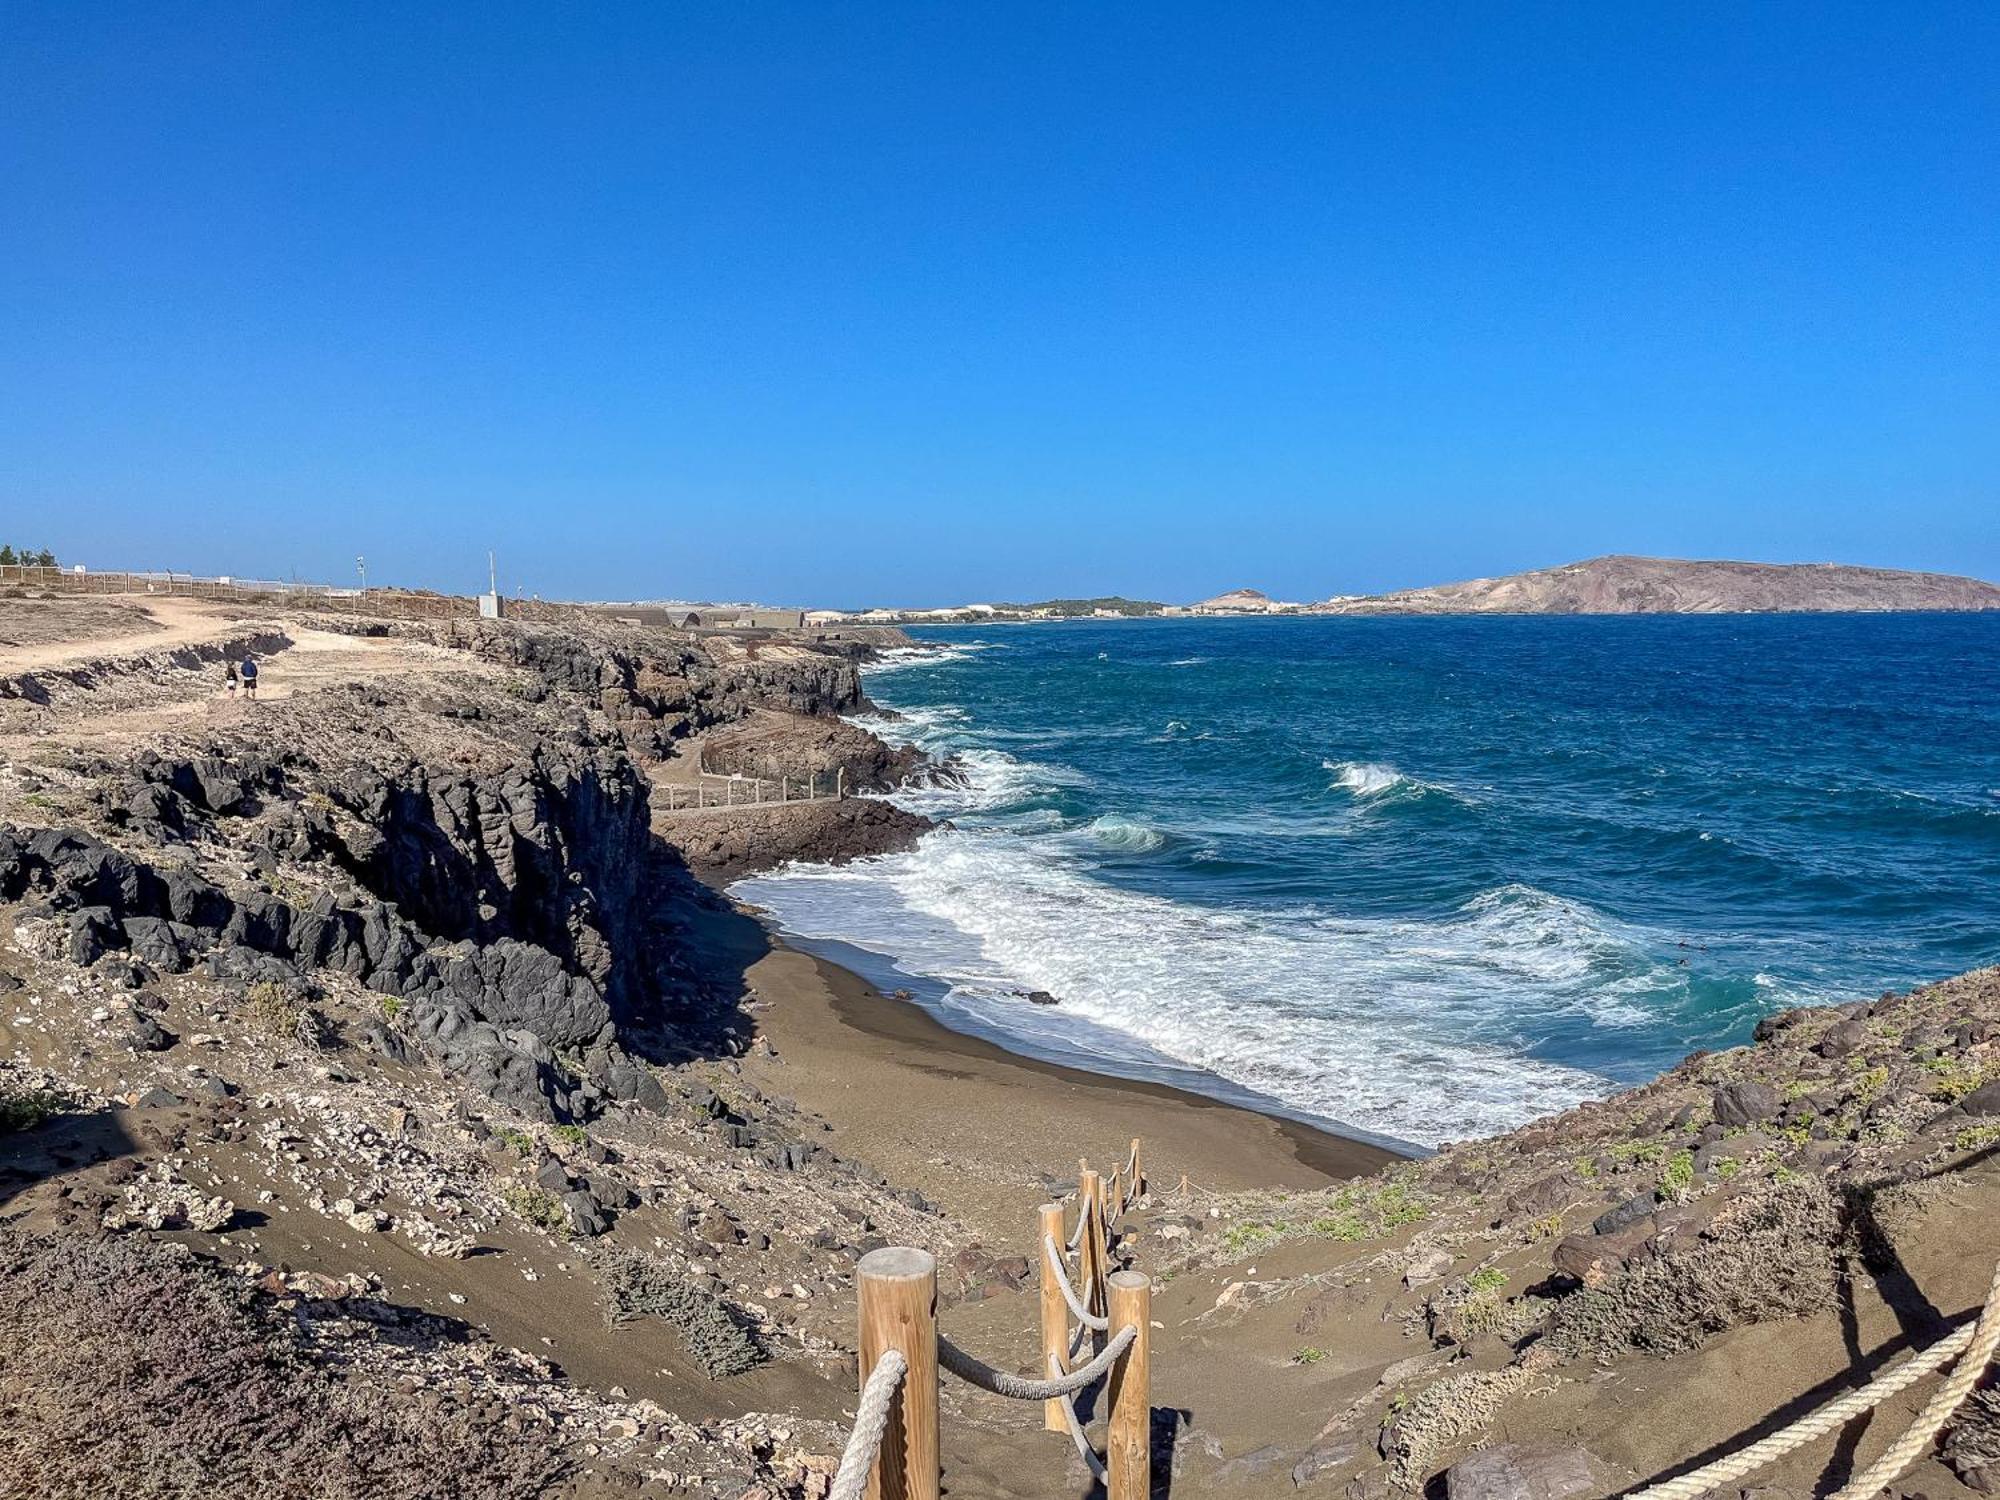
x,y
1425,879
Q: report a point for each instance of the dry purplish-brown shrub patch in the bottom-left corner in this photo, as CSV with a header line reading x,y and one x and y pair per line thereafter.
x,y
139,1371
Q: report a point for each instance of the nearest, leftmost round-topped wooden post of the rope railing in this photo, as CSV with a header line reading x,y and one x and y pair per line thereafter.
x,y
899,1311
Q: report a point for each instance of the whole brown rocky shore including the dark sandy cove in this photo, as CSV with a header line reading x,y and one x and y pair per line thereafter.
x,y
389,1037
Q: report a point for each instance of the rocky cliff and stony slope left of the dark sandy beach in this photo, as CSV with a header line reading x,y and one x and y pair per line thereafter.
x,y
391,997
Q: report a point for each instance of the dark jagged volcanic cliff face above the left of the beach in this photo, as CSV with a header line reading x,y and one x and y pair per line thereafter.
x,y
485,853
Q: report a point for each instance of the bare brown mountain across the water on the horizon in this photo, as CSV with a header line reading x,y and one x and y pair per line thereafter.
x,y
1625,585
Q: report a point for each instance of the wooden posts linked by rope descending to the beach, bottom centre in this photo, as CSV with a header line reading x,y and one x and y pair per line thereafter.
x,y
893,1449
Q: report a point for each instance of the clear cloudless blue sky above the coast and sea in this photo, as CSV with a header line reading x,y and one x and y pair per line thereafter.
x,y
893,303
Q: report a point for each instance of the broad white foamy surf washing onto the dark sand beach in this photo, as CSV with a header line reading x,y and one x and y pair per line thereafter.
x,y
1411,1027
